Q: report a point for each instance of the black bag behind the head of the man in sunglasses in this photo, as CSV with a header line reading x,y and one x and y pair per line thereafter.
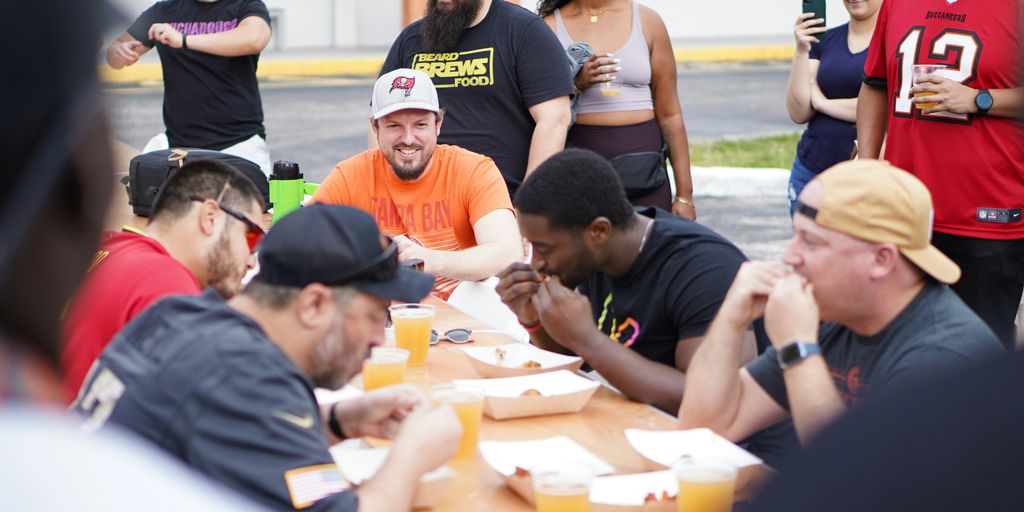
x,y
149,172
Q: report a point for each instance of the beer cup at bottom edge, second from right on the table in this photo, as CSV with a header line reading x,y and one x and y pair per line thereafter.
x,y
563,488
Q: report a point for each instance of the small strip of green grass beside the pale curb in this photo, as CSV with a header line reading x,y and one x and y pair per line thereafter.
x,y
775,151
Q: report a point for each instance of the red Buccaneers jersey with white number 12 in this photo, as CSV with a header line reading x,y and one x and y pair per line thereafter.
x,y
968,162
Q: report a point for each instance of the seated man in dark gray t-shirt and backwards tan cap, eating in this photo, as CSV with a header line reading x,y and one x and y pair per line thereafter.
x,y
861,261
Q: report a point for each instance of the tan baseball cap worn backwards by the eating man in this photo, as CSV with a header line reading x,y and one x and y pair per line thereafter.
x,y
874,201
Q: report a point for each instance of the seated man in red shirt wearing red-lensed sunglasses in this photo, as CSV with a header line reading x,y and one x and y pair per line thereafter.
x,y
201,234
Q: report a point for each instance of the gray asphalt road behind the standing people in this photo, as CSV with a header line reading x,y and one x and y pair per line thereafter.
x,y
320,122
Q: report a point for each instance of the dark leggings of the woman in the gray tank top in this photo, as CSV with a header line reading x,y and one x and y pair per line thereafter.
x,y
611,142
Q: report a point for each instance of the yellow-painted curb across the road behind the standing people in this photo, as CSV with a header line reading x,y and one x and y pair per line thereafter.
x,y
370,67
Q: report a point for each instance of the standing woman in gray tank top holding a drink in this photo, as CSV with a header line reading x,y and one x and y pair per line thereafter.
x,y
629,104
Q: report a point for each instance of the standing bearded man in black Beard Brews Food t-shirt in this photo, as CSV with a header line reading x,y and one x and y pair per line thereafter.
x,y
503,79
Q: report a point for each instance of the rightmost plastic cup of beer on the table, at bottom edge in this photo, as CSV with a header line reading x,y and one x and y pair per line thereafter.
x,y
705,485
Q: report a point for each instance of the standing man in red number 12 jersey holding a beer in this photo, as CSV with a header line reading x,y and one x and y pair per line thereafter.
x,y
965,142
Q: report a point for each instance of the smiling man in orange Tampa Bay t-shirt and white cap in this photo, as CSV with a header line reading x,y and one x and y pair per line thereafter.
x,y
444,205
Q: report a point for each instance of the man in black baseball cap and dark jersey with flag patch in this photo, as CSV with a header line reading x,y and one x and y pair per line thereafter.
x,y
228,388
